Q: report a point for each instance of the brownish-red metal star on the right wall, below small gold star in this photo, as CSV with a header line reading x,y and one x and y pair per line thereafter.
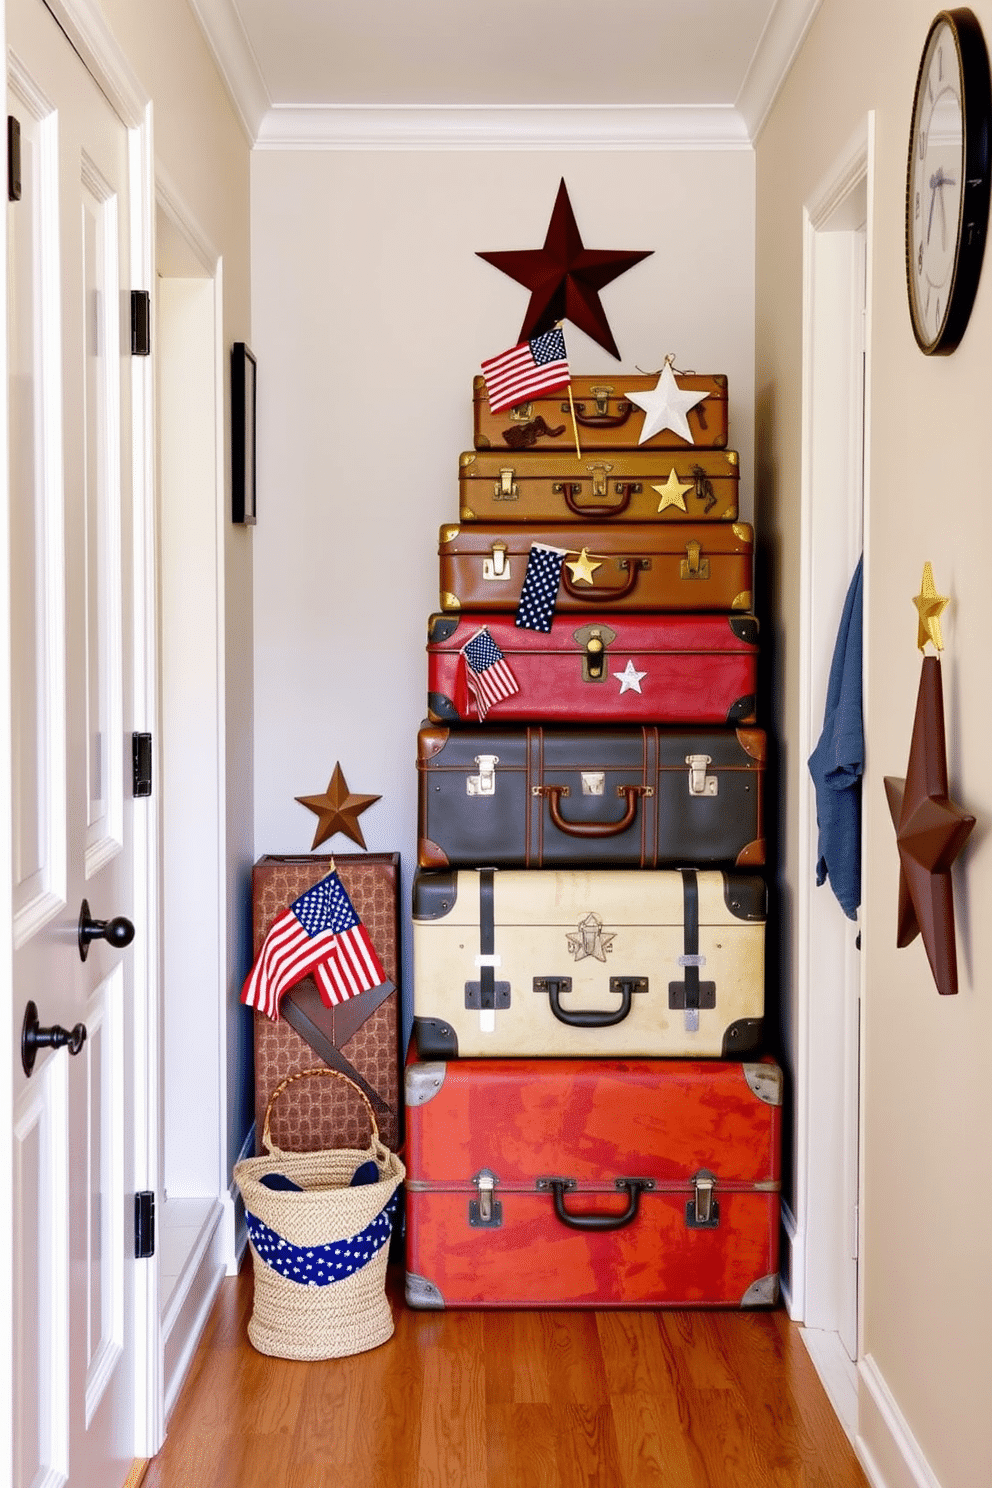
x,y
930,833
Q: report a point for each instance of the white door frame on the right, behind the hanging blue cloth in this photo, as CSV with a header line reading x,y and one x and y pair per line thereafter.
x,y
825,1231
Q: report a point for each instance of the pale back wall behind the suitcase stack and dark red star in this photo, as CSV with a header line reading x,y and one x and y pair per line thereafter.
x,y
371,318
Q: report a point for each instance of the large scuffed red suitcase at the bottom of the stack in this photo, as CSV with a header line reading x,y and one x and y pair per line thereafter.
x,y
593,1184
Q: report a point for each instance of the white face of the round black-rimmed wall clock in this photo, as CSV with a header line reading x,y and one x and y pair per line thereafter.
x,y
936,187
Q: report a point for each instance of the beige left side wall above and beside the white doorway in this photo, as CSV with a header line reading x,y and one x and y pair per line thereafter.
x,y
202,155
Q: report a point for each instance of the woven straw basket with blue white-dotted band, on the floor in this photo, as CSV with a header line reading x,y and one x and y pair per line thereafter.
x,y
332,1233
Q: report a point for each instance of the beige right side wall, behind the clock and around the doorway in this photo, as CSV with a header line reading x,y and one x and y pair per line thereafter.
x,y
927,1283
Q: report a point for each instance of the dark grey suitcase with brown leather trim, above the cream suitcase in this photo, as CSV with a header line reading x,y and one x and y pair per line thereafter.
x,y
517,797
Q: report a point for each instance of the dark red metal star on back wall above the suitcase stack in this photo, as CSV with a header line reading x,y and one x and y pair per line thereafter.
x,y
566,279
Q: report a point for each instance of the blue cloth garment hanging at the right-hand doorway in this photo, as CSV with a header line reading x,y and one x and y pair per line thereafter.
x,y
838,763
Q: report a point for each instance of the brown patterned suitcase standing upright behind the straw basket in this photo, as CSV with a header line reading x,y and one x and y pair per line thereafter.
x,y
361,1036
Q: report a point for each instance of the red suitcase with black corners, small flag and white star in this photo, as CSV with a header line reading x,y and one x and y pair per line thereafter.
x,y
640,669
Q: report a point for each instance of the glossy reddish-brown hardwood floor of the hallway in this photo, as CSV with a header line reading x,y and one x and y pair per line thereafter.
x,y
511,1401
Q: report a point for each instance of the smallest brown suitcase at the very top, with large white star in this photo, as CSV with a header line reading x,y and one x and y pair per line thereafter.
x,y
606,419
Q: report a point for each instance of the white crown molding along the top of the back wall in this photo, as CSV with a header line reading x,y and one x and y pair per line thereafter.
x,y
502,129
